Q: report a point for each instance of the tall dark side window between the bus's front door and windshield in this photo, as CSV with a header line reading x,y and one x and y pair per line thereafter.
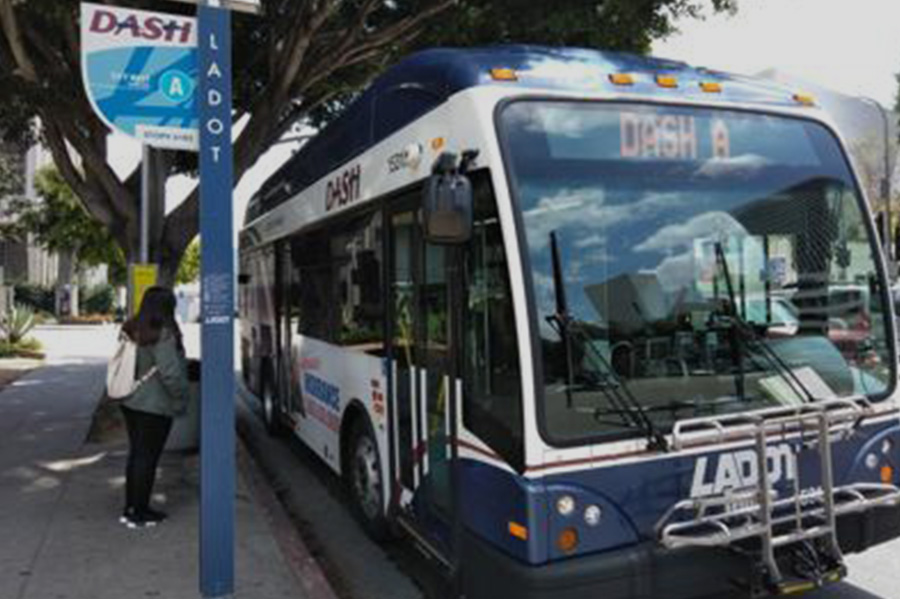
x,y
492,407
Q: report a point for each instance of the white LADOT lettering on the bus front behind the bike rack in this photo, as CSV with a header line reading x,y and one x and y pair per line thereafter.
x,y
740,469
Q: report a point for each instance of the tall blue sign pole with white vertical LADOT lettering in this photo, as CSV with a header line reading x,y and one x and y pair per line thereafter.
x,y
217,459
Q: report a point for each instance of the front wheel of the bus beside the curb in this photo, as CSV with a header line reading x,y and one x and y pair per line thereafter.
x,y
364,478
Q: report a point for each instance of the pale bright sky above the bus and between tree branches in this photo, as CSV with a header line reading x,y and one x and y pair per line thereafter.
x,y
850,46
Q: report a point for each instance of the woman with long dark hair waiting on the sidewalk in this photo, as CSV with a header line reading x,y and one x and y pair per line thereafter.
x,y
150,409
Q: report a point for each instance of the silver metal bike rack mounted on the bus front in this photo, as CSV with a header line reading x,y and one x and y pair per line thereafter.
x,y
756,512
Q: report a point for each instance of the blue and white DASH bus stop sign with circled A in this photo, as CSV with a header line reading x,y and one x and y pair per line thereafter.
x,y
140,73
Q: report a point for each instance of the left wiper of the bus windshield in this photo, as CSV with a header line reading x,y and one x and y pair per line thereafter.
x,y
618,394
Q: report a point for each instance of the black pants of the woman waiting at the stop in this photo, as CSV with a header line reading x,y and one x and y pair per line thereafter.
x,y
147,434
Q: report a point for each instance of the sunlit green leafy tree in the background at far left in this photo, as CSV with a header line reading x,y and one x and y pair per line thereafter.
x,y
59,223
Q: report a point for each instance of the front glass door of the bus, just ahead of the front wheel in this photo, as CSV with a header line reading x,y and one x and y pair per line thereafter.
x,y
421,354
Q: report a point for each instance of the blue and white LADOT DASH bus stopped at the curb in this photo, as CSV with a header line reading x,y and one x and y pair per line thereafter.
x,y
565,318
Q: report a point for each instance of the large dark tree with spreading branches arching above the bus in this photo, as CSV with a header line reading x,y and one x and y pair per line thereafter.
x,y
300,61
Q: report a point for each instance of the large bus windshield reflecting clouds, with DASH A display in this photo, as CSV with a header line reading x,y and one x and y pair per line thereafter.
x,y
711,261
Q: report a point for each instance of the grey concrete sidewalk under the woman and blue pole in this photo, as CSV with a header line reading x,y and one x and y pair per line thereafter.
x,y
60,499
